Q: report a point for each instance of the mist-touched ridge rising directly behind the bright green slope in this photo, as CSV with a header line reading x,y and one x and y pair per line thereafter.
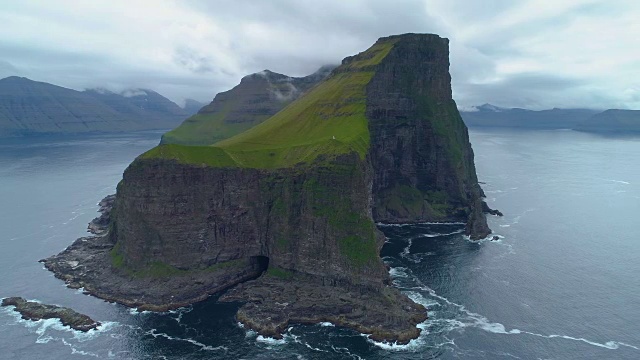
x,y
255,99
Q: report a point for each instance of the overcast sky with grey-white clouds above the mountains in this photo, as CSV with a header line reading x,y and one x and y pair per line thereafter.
x,y
513,53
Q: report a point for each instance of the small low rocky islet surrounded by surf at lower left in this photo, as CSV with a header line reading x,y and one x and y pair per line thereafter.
x,y
31,310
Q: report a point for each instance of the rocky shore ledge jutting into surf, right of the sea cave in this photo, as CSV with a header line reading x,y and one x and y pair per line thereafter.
x,y
272,304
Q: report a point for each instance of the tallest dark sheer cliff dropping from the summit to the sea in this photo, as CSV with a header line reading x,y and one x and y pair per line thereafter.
x,y
421,156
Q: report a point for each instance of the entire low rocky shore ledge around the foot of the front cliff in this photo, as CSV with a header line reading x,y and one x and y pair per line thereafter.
x,y
270,303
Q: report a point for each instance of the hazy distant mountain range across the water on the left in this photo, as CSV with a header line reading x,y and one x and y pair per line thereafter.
x,y
30,107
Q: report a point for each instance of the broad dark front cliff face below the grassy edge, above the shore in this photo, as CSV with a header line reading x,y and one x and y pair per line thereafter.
x,y
193,218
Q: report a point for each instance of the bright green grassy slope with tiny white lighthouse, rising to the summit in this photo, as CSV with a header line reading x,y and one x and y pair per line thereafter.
x,y
329,120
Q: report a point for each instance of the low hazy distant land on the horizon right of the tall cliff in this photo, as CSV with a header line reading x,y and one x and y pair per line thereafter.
x,y
587,120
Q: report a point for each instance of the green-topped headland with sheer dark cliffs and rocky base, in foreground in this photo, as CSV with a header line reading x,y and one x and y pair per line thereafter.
x,y
284,214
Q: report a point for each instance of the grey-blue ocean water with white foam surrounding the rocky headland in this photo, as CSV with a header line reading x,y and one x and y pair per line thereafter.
x,y
562,282
